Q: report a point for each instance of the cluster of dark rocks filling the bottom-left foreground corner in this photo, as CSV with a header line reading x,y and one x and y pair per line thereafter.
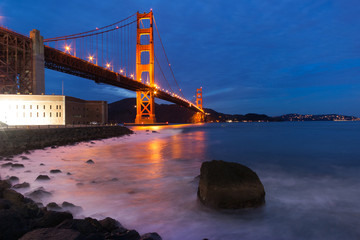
x,y
21,218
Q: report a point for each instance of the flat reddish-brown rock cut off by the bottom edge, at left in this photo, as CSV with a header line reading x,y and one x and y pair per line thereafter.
x,y
53,234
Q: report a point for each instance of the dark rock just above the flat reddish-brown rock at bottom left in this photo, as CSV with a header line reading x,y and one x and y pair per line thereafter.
x,y
52,219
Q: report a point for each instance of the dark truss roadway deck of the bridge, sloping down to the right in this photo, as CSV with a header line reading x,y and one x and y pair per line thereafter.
x,y
63,62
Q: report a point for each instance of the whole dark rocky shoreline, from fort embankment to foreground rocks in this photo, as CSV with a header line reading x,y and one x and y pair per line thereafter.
x,y
21,217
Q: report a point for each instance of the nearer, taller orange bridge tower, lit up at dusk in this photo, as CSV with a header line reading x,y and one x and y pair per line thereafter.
x,y
145,104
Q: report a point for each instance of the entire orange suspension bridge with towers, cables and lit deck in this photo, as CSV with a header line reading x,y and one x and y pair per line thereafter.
x,y
125,54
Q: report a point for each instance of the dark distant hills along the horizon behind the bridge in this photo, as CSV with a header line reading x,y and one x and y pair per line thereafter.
x,y
125,111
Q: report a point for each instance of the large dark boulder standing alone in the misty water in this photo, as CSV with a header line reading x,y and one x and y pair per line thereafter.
x,y
229,185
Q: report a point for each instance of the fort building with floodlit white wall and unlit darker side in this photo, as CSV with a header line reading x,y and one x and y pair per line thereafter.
x,y
50,110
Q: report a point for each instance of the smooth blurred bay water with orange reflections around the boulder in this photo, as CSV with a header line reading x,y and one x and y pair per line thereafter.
x,y
147,181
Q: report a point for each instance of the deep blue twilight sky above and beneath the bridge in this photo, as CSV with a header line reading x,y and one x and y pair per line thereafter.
x,y
262,56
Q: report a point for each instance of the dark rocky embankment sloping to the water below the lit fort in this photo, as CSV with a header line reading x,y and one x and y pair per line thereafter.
x,y
17,141
